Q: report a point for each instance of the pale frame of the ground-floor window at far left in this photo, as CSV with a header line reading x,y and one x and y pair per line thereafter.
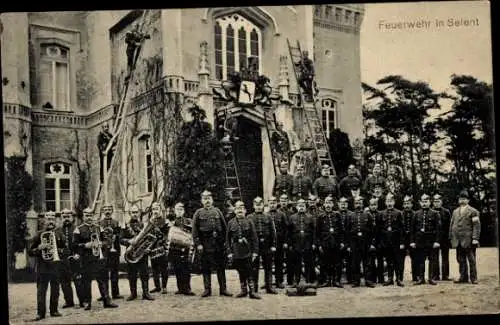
x,y
57,177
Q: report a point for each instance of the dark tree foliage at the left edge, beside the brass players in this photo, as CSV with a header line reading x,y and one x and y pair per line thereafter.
x,y
18,199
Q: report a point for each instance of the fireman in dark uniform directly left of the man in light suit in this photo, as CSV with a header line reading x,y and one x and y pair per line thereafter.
x,y
445,217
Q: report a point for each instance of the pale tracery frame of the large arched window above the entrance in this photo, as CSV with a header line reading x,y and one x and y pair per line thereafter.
x,y
249,26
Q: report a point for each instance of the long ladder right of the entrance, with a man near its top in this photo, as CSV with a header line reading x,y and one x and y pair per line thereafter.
x,y
311,113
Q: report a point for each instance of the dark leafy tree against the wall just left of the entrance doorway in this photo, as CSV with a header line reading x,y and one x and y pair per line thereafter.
x,y
199,162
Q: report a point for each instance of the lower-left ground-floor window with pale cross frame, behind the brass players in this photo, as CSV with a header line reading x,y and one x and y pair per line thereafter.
x,y
58,188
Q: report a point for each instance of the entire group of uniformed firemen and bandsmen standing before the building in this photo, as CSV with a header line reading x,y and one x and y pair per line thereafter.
x,y
329,235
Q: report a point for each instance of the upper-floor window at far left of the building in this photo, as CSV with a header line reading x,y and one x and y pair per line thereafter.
x,y
54,77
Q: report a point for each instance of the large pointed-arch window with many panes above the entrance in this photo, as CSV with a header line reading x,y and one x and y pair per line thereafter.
x,y
236,39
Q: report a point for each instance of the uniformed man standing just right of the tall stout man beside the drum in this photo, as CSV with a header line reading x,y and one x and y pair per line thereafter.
x,y
243,247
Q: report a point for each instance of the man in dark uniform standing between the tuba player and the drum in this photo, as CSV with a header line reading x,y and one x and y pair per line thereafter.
x,y
159,260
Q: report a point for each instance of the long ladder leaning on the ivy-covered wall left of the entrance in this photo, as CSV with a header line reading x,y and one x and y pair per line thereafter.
x,y
117,129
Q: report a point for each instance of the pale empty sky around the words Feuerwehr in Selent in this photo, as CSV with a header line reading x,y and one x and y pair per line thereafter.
x,y
425,51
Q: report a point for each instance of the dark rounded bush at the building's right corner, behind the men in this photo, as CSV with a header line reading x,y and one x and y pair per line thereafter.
x,y
341,151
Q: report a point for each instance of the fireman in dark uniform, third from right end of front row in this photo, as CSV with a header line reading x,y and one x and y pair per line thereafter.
x,y
426,230
